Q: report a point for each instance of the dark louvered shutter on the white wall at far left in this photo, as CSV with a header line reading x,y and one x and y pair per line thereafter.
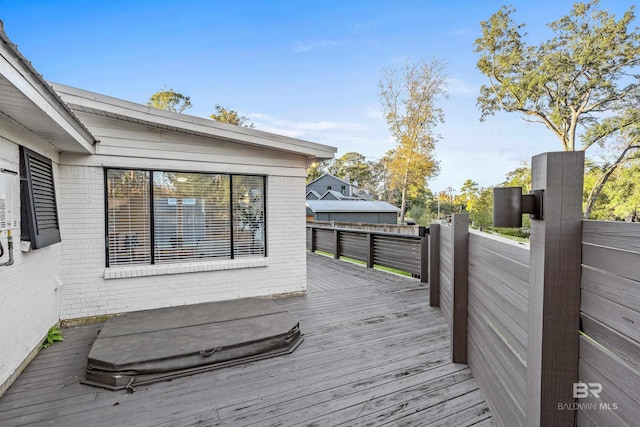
x,y
38,212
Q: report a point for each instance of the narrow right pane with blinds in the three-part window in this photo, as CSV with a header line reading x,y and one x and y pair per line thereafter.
x,y
248,216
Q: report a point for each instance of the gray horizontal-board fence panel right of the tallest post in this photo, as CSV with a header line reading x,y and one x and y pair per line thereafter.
x,y
610,314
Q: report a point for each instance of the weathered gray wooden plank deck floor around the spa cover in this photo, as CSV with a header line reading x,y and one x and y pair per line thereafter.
x,y
374,353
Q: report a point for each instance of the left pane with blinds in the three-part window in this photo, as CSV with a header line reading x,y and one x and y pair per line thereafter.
x,y
128,217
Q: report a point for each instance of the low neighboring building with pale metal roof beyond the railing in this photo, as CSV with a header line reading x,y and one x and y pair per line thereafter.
x,y
372,212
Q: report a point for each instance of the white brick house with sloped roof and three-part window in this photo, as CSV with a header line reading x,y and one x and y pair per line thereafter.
x,y
116,206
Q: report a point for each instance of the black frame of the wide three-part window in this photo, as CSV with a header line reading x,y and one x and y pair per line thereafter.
x,y
152,217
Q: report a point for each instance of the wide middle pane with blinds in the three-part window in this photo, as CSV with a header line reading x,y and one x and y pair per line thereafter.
x,y
191,216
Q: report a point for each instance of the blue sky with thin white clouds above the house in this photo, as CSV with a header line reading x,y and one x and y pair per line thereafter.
x,y
306,69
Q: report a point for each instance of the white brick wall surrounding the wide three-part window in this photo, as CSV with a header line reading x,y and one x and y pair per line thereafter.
x,y
86,292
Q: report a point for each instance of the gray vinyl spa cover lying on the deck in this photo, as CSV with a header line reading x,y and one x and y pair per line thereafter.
x,y
153,345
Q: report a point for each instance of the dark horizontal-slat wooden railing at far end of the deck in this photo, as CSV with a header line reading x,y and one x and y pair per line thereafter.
x,y
404,252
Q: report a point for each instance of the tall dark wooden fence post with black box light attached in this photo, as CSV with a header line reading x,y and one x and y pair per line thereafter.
x,y
554,289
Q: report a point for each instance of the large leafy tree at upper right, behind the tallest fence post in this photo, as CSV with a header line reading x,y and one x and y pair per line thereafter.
x,y
581,82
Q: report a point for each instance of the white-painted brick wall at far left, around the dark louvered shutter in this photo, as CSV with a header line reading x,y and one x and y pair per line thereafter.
x,y
29,294
